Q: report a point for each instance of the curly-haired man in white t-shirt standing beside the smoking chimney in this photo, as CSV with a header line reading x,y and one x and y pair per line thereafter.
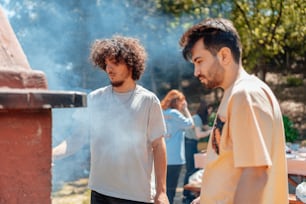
x,y
126,129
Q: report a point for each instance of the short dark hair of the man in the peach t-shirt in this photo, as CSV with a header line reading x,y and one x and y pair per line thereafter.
x,y
216,33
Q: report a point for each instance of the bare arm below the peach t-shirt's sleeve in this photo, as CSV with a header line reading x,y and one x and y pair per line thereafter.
x,y
251,185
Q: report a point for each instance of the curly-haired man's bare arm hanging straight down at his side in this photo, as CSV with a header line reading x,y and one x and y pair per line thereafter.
x,y
160,166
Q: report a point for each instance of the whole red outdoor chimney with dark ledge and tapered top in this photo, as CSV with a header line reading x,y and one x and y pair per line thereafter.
x,y
26,124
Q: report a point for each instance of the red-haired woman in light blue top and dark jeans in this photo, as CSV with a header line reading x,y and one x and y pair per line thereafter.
x,y
178,119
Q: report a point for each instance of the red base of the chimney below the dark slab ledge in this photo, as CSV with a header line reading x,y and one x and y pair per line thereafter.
x,y
25,146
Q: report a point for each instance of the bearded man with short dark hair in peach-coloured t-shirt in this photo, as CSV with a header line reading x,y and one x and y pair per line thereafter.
x,y
246,160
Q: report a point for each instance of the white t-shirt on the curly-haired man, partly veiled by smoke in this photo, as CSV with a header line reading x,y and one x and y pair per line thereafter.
x,y
122,127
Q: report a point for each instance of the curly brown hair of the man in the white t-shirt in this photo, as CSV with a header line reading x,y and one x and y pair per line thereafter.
x,y
121,49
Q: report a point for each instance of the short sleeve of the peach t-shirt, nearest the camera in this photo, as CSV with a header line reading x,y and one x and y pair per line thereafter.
x,y
249,130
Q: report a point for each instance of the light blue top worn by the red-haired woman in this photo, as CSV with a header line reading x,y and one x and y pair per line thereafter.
x,y
176,124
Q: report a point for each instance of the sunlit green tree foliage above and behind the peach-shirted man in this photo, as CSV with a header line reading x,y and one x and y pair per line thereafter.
x,y
272,32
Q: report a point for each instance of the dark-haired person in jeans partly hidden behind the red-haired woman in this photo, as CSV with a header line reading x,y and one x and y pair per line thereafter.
x,y
200,130
